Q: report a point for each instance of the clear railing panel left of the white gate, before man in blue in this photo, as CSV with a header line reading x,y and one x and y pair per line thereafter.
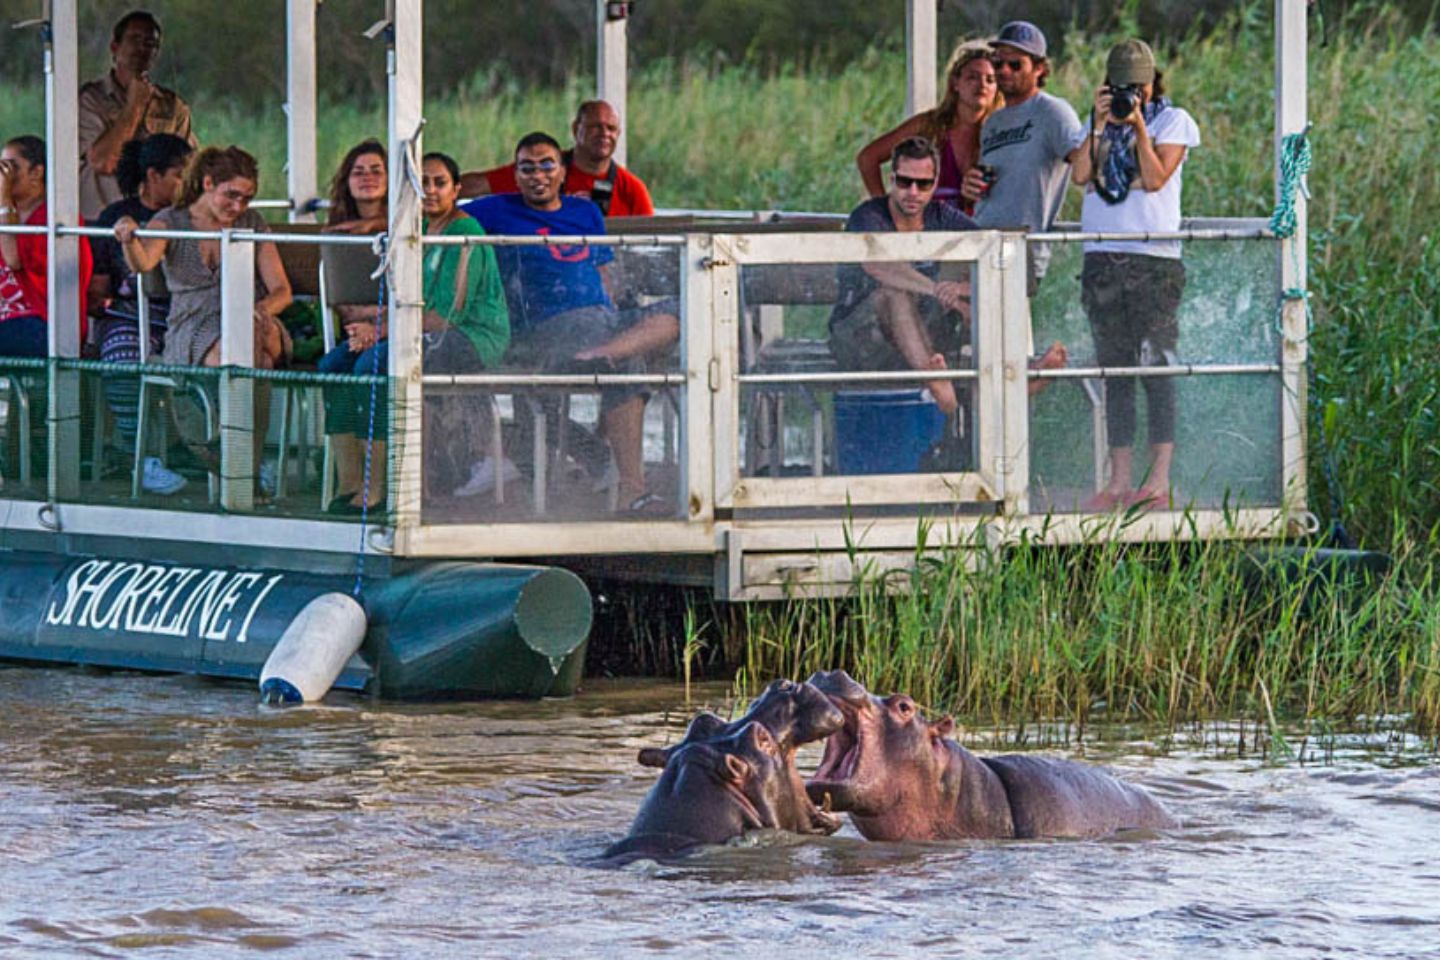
x,y
580,420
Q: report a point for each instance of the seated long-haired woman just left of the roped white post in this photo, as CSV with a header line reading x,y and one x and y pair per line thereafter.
x,y
359,204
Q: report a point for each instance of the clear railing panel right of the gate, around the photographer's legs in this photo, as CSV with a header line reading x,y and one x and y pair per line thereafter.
x,y
1228,421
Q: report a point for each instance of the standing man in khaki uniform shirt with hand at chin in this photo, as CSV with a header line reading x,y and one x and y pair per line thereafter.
x,y
125,106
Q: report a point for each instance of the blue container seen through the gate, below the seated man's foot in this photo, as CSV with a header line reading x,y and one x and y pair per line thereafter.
x,y
885,431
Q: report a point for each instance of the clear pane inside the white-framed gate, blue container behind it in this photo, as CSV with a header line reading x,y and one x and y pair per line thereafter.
x,y
827,391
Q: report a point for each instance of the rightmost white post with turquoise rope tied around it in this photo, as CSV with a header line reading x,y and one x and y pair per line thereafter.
x,y
1291,117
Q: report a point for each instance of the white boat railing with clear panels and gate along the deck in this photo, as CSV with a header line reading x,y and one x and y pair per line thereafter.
x,y
748,415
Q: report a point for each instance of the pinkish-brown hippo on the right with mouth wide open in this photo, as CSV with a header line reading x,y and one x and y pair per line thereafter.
x,y
901,778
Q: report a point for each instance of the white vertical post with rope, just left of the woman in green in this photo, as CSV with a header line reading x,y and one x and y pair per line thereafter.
x,y
405,283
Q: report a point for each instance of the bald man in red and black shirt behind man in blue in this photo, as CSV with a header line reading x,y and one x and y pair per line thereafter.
x,y
590,169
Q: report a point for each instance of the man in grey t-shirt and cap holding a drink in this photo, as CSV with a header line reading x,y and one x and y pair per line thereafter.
x,y
1025,146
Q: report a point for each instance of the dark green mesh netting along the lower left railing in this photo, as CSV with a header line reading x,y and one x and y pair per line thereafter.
x,y
150,438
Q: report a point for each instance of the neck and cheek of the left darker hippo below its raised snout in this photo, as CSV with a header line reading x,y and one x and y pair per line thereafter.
x,y
714,791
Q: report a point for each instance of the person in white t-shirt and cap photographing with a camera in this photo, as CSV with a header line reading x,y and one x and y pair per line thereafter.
x,y
1131,171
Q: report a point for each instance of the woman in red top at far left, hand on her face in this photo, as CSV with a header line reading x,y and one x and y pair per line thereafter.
x,y
24,257
